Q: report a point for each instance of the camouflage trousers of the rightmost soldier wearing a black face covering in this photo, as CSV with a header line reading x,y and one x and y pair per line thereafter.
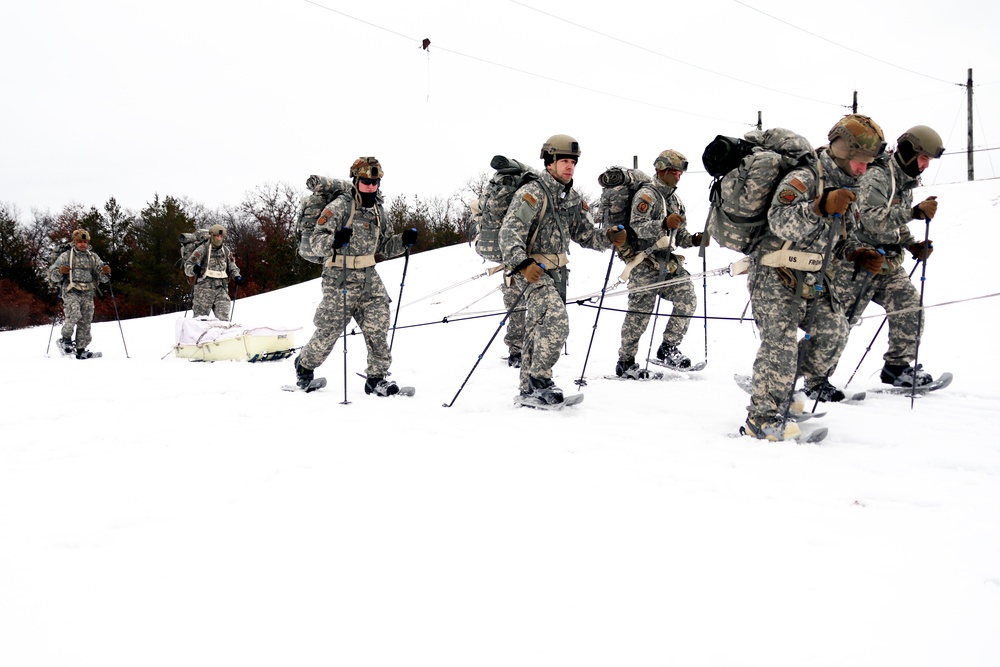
x,y
893,291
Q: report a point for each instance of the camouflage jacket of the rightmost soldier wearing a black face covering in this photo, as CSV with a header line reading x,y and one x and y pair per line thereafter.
x,y
886,205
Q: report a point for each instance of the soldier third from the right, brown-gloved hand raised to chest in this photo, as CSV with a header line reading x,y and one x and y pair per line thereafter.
x,y
658,224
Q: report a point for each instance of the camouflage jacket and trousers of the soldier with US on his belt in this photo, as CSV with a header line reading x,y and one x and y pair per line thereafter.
x,y
776,293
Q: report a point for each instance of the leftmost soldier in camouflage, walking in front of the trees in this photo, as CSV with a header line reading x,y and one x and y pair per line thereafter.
x,y
77,271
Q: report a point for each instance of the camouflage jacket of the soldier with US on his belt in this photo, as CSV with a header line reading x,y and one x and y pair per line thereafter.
x,y
792,215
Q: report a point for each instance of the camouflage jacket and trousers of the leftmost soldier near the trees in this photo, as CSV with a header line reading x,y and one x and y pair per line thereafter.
x,y
78,288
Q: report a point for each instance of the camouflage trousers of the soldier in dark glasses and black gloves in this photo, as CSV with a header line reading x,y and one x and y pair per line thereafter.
x,y
367,303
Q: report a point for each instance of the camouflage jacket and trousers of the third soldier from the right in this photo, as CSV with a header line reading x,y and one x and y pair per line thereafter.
x,y
650,206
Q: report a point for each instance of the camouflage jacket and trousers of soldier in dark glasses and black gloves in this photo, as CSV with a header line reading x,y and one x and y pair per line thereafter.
x,y
367,299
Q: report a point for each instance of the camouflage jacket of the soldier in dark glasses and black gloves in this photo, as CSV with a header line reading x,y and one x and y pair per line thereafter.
x,y
371,230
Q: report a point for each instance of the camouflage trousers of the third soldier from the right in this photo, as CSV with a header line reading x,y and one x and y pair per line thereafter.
x,y
641,304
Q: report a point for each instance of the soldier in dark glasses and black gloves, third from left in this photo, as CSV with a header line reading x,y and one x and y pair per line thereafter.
x,y
349,232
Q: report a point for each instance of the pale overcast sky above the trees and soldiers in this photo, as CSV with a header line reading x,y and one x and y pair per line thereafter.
x,y
208,99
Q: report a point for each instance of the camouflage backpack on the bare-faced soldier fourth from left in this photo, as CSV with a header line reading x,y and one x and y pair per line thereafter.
x,y
489,209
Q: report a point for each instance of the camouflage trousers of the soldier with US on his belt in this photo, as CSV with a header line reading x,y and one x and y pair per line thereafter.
x,y
779,312
